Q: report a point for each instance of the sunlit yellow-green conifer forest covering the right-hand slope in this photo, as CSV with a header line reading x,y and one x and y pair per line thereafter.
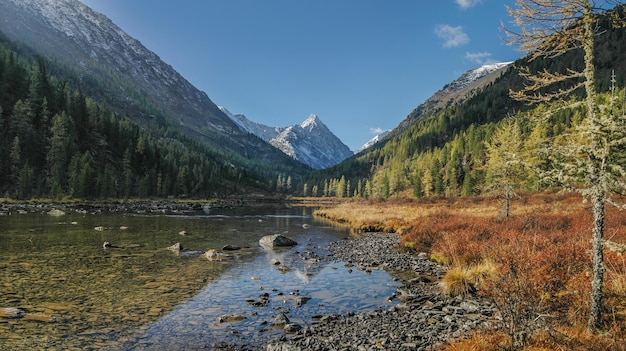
x,y
444,153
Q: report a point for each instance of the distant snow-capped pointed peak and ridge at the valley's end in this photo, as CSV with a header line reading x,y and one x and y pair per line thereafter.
x,y
309,142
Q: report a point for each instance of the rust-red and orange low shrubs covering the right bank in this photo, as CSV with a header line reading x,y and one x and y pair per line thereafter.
x,y
544,266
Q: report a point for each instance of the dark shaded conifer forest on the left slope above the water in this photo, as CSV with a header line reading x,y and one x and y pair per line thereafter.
x,y
55,142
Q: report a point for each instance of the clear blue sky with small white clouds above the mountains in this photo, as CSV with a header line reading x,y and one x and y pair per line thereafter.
x,y
360,65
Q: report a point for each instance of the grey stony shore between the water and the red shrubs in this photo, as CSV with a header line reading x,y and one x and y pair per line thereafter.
x,y
421,319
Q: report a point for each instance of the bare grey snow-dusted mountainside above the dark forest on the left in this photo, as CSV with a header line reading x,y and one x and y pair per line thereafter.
x,y
113,68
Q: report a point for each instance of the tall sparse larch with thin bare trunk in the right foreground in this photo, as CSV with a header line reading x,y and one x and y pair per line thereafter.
x,y
551,29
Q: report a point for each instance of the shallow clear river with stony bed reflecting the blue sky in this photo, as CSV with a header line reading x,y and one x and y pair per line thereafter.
x,y
60,289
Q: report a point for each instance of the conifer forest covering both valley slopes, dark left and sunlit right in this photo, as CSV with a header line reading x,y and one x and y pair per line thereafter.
x,y
58,142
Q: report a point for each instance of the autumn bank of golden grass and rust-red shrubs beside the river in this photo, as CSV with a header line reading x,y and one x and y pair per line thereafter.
x,y
535,265
